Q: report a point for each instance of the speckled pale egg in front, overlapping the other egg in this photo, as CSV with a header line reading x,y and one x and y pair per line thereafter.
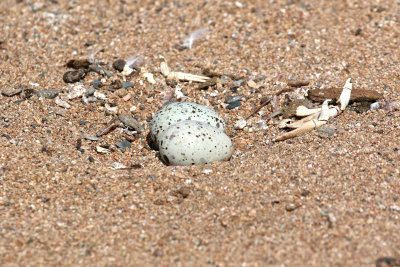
x,y
194,143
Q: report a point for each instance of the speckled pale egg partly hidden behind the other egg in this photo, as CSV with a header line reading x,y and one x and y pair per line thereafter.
x,y
180,111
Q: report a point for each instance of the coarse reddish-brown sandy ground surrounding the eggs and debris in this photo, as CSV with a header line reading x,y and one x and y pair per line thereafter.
x,y
307,201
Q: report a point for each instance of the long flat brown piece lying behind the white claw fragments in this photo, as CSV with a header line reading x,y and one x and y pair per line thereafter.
x,y
357,95
